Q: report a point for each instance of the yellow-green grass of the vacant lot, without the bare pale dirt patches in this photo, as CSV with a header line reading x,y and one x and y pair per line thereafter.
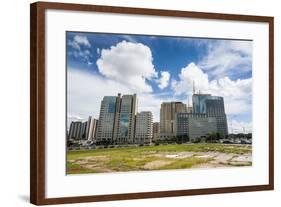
x,y
135,158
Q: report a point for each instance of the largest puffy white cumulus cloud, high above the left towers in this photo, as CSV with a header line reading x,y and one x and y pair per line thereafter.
x,y
128,63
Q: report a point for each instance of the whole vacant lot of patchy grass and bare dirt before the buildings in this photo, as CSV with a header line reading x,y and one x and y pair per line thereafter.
x,y
158,157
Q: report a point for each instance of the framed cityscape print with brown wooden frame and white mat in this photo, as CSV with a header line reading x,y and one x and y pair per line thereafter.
x,y
130,103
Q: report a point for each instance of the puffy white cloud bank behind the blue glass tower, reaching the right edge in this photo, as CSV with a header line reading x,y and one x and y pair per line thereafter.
x,y
237,94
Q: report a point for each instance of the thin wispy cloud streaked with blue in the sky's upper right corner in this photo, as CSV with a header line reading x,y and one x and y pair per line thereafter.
x,y
223,58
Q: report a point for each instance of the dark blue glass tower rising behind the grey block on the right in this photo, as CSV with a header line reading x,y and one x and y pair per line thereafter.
x,y
212,106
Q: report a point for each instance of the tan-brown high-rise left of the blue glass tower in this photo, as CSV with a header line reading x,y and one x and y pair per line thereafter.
x,y
167,118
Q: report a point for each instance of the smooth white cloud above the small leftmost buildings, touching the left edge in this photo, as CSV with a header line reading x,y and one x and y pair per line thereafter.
x,y
85,92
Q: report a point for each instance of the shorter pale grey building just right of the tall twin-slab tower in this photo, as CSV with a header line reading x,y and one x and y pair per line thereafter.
x,y
143,131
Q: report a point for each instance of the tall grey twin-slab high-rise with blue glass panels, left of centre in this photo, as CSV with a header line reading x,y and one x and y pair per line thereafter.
x,y
117,119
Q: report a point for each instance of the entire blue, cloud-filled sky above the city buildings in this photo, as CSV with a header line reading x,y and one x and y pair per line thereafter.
x,y
158,69
